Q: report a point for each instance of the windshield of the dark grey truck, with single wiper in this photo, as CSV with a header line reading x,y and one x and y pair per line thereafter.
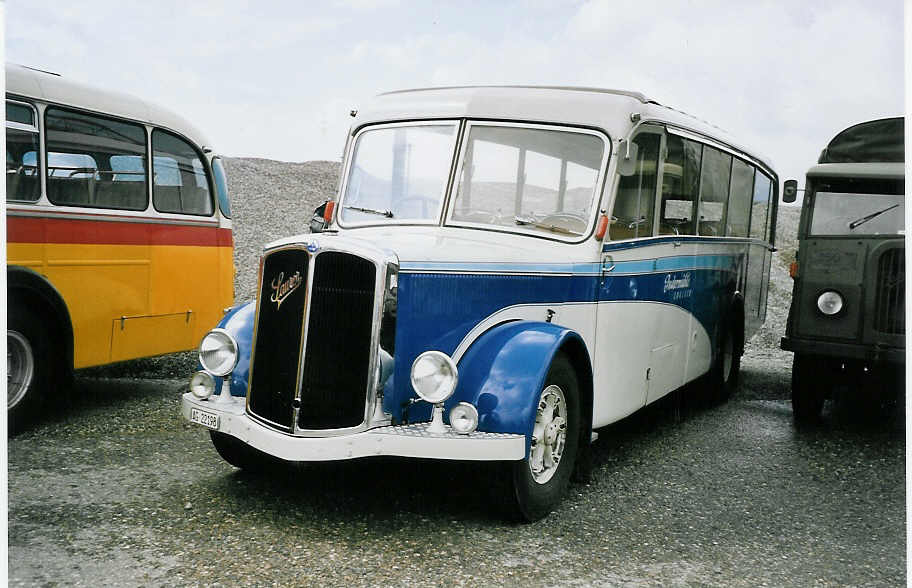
x,y
838,213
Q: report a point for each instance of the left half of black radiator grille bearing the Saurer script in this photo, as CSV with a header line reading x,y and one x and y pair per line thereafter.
x,y
274,370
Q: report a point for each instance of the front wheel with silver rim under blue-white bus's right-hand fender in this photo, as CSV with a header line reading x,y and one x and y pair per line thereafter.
x,y
539,482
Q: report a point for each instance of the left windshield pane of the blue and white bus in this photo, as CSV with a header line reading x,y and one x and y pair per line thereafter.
x,y
399,173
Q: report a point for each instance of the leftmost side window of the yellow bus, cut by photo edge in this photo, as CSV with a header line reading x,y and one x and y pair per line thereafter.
x,y
22,182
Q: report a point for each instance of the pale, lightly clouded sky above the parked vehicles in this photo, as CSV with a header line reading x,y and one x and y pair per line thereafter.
x,y
278,79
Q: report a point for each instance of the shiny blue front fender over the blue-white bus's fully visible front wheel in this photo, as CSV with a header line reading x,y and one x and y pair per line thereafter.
x,y
503,374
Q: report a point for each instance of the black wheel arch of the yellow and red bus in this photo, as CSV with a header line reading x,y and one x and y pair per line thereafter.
x,y
29,288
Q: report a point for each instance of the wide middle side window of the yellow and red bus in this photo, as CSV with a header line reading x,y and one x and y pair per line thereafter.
x,y
85,161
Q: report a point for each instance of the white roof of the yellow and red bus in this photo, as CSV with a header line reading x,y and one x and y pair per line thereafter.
x,y
27,82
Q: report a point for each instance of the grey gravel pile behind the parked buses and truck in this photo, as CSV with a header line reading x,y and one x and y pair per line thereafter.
x,y
275,199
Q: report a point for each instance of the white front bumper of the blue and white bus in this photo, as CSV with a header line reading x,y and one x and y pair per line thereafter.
x,y
401,440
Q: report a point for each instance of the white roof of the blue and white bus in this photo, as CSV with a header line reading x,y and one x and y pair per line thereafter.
x,y
604,109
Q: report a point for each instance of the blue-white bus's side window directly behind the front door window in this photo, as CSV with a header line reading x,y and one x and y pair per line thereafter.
x,y
680,184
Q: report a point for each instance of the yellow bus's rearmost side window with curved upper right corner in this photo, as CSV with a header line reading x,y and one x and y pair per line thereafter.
x,y
179,180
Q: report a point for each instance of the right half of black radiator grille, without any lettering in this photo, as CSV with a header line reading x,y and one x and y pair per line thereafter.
x,y
334,382
